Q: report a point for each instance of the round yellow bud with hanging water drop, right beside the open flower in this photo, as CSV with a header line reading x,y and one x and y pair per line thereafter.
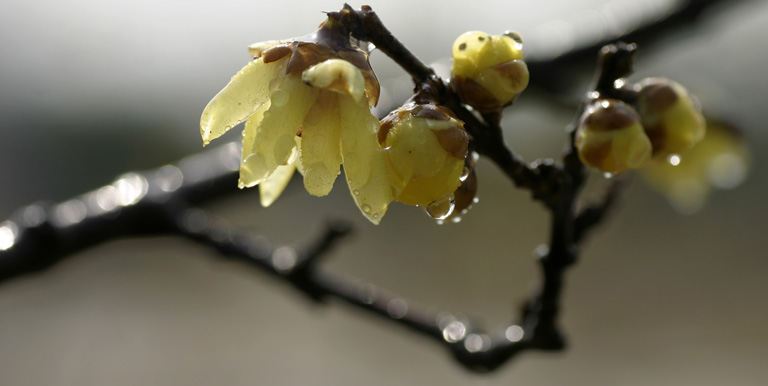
x,y
425,148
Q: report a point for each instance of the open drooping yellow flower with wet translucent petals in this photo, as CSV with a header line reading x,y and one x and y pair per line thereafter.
x,y
307,106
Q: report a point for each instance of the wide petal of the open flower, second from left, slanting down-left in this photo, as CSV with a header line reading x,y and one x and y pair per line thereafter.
x,y
274,143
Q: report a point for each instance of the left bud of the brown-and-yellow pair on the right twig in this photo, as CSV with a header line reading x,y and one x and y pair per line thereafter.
x,y
610,138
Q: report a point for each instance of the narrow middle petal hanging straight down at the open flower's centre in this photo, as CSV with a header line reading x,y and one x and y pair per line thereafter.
x,y
320,144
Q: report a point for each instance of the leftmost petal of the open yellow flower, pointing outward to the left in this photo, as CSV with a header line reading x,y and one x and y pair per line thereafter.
x,y
243,95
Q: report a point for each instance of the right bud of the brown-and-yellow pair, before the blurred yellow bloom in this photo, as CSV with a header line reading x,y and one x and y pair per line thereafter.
x,y
670,117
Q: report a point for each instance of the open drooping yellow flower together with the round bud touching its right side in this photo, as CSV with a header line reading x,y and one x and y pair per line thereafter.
x,y
306,103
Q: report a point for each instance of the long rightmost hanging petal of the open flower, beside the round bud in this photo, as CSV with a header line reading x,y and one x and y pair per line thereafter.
x,y
365,164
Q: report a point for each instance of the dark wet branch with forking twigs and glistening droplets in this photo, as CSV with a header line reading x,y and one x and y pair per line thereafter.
x,y
163,201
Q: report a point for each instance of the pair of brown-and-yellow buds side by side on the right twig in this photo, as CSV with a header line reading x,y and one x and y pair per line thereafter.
x,y
614,136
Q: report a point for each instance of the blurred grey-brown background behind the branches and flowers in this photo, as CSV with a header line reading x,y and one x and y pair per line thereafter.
x,y
90,89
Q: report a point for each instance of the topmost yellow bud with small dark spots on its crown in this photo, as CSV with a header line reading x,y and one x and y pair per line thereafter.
x,y
488,72
